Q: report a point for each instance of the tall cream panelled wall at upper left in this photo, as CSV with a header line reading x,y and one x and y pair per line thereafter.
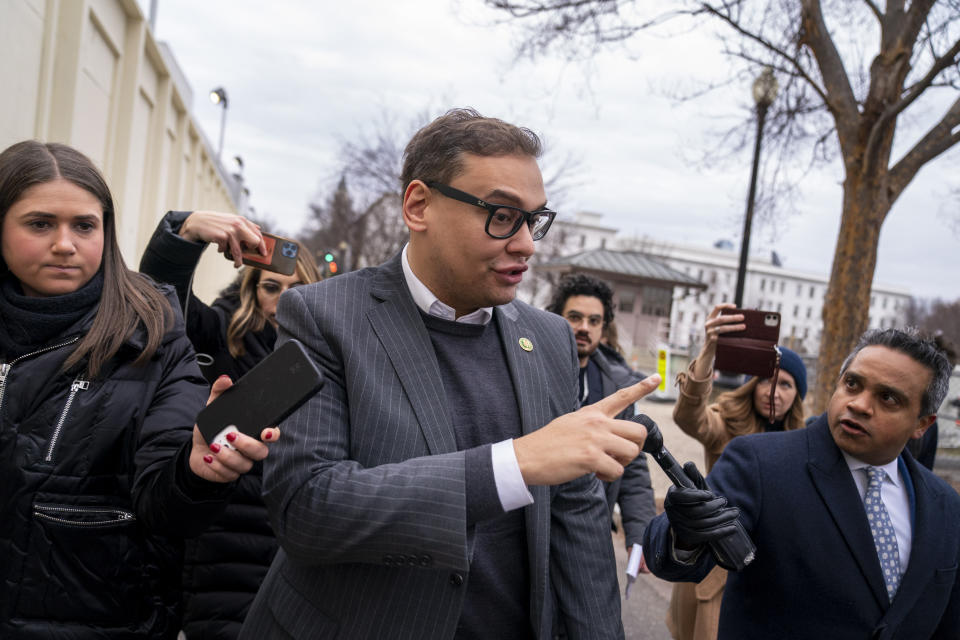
x,y
88,73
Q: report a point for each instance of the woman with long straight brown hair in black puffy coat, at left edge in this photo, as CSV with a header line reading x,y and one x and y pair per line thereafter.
x,y
102,470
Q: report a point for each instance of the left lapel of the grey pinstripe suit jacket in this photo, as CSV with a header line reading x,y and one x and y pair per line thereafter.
x,y
401,331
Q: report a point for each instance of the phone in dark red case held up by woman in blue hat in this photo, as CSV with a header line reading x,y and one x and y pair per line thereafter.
x,y
753,350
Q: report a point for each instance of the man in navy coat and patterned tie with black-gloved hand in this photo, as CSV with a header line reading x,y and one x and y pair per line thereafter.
x,y
854,538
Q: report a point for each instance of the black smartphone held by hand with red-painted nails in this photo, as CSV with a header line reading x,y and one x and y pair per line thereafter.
x,y
273,389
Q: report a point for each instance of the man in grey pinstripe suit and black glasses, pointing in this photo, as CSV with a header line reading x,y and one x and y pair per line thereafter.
x,y
441,484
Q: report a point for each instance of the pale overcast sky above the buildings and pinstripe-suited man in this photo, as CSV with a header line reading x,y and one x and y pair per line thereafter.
x,y
303,75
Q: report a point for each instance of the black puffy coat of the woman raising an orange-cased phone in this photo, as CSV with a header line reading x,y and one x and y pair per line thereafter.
x,y
223,567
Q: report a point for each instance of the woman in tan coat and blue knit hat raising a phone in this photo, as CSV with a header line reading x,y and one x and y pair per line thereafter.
x,y
694,611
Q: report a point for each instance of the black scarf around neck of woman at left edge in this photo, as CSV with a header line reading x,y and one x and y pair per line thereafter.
x,y
28,323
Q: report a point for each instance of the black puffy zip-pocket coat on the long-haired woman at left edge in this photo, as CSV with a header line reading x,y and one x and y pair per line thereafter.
x,y
95,491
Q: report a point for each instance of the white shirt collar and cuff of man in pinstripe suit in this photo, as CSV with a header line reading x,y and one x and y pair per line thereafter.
x,y
511,488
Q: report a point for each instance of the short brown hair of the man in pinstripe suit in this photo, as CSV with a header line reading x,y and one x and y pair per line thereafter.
x,y
435,153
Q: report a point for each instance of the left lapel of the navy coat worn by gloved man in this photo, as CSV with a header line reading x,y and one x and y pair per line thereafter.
x,y
831,476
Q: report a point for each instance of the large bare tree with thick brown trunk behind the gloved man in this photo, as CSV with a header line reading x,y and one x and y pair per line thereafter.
x,y
843,94
